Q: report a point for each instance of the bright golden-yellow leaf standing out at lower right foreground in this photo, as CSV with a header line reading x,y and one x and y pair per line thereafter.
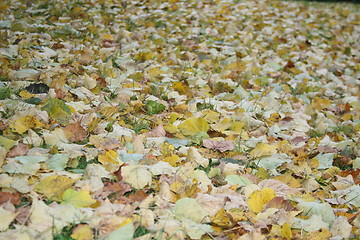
x,y
259,198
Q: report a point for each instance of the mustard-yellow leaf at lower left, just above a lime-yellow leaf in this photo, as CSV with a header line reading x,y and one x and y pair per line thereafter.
x,y
53,187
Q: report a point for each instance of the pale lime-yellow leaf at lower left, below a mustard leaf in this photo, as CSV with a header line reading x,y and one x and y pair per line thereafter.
x,y
78,199
